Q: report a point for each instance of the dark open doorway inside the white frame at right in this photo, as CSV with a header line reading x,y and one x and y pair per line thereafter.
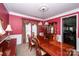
x,y
69,30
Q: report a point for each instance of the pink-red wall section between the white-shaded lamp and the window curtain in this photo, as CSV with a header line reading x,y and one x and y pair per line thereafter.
x,y
16,24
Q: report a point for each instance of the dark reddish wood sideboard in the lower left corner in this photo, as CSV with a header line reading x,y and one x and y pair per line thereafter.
x,y
8,49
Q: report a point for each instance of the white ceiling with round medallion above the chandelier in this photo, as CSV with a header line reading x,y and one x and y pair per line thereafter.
x,y
36,9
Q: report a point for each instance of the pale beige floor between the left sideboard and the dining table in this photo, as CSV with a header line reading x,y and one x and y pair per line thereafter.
x,y
23,50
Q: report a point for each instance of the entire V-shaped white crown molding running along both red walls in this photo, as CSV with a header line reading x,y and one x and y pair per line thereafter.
x,y
59,15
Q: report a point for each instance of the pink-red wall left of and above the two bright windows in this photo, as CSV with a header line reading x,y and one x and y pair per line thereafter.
x,y
16,23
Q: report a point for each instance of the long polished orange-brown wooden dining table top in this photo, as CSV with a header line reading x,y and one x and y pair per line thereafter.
x,y
54,48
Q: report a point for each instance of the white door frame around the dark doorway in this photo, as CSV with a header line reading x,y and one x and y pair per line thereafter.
x,y
76,25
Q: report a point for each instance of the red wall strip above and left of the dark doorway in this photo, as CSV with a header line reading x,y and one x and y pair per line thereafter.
x,y
58,20
